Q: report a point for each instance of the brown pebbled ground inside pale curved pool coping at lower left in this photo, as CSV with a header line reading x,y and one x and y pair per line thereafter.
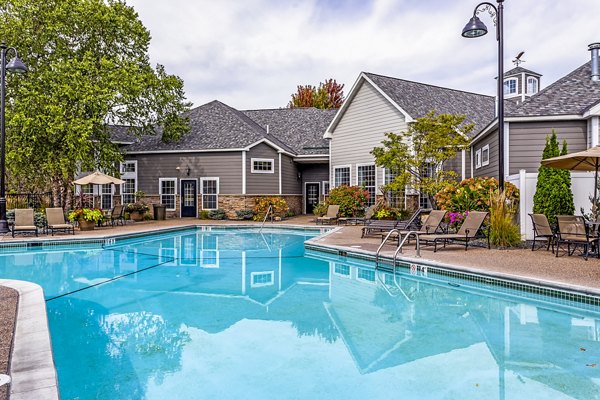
x,y
8,312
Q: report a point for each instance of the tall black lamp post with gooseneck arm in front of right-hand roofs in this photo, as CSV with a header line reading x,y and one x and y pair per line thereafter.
x,y
476,28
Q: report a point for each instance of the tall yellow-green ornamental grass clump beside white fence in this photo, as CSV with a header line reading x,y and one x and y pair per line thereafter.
x,y
503,232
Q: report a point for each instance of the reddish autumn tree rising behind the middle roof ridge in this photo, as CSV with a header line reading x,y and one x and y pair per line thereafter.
x,y
329,94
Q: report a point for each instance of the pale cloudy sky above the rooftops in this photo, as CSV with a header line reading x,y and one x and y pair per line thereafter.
x,y
252,54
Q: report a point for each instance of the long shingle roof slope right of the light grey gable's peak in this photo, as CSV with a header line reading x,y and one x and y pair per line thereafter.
x,y
417,99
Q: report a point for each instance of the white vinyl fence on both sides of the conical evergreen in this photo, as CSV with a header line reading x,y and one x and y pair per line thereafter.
x,y
582,185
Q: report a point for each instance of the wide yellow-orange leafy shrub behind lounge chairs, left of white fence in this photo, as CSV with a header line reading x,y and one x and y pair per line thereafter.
x,y
473,194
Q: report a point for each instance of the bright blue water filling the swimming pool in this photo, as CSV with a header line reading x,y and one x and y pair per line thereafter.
x,y
231,314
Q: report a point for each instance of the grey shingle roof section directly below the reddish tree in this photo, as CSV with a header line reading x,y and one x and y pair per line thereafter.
x,y
300,128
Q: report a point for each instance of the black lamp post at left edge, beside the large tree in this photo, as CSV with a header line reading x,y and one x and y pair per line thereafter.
x,y
15,65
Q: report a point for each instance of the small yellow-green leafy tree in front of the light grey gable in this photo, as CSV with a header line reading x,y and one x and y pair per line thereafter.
x,y
417,155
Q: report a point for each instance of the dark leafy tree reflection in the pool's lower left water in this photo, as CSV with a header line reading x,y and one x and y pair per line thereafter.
x,y
96,354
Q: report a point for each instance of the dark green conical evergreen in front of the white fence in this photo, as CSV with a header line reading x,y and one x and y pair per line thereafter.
x,y
553,195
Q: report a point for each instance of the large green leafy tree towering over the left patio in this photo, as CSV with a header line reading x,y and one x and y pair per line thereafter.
x,y
88,68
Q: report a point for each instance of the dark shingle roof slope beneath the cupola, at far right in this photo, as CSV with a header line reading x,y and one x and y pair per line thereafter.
x,y
575,93
